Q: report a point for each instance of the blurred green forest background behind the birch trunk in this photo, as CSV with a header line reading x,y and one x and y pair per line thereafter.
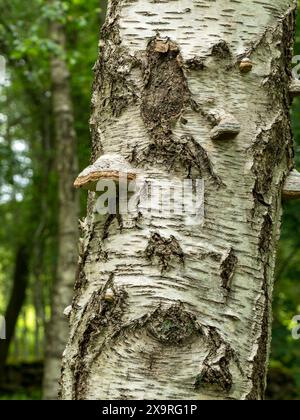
x,y
29,190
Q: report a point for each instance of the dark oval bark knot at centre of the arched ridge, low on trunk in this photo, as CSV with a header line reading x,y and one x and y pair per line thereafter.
x,y
173,326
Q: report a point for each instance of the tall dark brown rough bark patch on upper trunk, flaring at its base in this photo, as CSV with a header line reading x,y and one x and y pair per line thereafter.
x,y
165,96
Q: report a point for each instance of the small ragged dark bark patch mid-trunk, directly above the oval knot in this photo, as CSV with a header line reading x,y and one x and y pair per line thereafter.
x,y
165,250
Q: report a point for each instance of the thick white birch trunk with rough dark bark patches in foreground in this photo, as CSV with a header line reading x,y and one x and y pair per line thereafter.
x,y
185,89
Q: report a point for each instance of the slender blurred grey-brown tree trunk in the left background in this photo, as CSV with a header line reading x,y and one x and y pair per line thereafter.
x,y
68,213
